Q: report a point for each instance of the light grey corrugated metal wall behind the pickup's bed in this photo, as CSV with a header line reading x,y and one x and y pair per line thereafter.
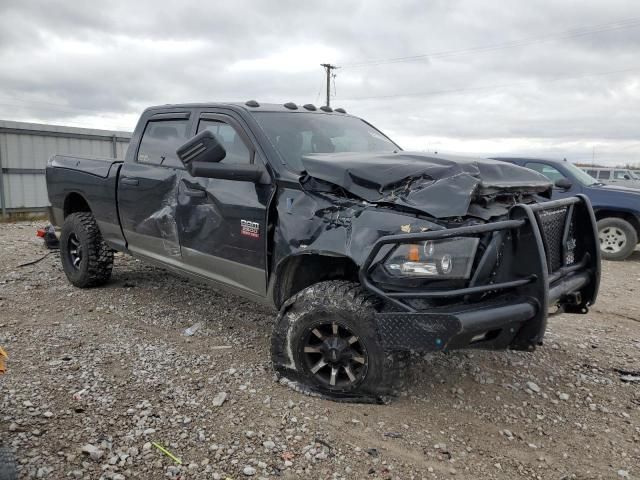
x,y
25,149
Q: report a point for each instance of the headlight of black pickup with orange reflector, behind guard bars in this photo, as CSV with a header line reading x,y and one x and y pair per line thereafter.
x,y
447,258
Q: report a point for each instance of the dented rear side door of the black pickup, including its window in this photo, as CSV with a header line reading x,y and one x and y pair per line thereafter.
x,y
147,189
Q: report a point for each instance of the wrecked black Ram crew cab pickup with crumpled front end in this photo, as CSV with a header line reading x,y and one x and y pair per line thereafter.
x,y
366,251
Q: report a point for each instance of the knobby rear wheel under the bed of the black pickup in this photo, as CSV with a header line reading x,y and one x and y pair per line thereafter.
x,y
80,233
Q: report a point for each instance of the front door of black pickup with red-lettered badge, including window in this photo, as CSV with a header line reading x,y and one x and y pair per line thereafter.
x,y
222,223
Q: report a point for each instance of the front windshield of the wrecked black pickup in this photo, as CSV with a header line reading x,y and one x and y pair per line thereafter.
x,y
297,134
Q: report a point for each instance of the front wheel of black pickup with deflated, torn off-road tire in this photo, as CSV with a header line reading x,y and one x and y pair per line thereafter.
x,y
352,310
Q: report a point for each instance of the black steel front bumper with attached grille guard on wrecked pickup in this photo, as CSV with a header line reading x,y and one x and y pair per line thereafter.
x,y
543,255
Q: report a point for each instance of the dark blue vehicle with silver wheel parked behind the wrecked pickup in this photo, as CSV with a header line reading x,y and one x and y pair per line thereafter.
x,y
617,208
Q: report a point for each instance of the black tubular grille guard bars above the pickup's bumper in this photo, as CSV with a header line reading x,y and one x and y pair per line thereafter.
x,y
535,275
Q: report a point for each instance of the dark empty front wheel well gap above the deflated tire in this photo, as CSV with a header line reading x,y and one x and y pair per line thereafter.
x,y
298,272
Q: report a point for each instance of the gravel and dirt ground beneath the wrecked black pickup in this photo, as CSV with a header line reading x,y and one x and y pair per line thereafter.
x,y
96,376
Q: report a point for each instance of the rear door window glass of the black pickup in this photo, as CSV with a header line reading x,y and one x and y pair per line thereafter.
x,y
160,140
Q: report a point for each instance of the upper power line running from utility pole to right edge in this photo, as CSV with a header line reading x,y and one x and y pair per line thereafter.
x,y
568,34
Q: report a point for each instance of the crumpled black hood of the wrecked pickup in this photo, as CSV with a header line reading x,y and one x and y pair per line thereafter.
x,y
439,185
